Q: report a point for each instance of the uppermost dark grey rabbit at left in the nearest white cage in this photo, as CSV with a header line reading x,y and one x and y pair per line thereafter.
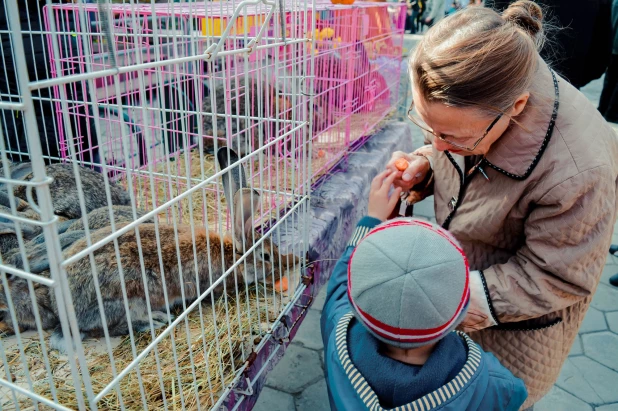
x,y
64,192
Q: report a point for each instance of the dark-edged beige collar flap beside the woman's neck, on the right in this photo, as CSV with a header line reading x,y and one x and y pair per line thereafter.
x,y
519,150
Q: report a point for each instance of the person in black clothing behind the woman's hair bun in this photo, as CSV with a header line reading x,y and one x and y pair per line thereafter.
x,y
580,49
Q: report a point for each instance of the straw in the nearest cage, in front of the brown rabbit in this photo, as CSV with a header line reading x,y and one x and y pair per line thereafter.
x,y
216,355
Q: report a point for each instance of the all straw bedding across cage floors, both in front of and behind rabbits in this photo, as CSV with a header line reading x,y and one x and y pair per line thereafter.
x,y
209,347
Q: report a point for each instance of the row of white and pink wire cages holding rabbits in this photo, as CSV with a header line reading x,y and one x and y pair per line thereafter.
x,y
151,156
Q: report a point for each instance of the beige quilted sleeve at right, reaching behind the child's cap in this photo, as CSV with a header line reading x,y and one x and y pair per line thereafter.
x,y
568,232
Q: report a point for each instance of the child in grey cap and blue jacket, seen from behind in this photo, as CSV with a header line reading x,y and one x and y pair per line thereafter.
x,y
393,301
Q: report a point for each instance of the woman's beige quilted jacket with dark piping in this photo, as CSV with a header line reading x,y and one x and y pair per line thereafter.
x,y
539,229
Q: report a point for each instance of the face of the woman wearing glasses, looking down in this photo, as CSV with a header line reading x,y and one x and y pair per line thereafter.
x,y
465,126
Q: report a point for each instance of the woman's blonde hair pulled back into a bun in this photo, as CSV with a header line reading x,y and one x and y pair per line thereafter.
x,y
480,58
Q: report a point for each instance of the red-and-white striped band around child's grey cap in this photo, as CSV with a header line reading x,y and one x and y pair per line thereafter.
x,y
402,334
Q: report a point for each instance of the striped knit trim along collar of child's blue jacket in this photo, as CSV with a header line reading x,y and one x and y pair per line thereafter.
x,y
428,402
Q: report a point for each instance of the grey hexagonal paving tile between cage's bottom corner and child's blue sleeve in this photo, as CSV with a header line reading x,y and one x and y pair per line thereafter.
x,y
298,368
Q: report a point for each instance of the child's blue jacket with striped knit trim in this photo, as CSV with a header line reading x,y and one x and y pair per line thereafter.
x,y
457,376
